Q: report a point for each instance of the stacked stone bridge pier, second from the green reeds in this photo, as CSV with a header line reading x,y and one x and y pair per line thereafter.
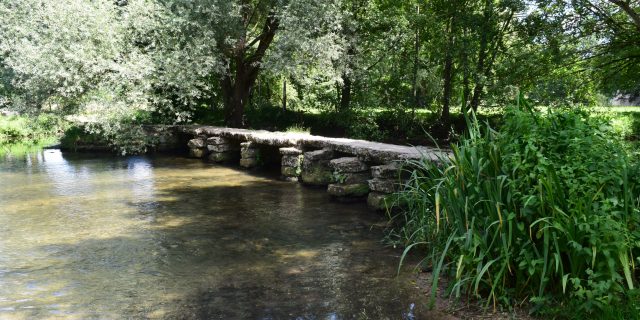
x,y
350,176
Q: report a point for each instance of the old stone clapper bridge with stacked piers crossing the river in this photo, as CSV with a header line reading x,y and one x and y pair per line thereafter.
x,y
350,169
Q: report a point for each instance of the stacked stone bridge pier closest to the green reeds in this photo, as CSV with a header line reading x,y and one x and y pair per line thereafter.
x,y
387,179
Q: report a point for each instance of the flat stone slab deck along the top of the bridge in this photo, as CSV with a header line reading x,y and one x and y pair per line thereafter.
x,y
369,151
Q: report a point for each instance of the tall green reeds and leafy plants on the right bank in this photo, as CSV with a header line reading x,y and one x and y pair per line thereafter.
x,y
546,210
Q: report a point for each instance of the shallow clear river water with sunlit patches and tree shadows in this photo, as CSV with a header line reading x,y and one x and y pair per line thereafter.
x,y
96,236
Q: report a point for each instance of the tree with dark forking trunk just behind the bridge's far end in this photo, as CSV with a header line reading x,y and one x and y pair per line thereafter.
x,y
248,37
